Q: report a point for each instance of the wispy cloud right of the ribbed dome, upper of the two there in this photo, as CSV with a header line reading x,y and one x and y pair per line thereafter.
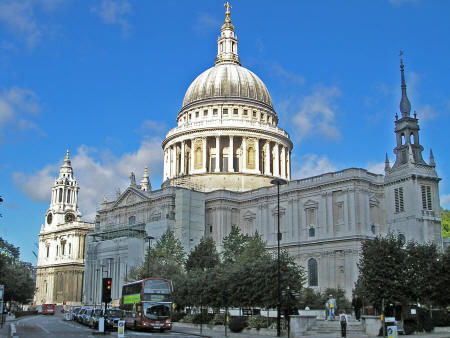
x,y
317,114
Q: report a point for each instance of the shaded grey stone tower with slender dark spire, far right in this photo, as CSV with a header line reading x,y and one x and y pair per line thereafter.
x,y
411,185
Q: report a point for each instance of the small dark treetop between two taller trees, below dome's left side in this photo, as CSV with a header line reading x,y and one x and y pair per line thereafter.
x,y
204,256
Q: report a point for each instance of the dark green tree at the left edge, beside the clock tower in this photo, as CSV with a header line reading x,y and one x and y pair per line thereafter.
x,y
15,274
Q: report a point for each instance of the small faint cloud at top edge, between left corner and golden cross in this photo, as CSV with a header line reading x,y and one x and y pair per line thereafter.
x,y
114,12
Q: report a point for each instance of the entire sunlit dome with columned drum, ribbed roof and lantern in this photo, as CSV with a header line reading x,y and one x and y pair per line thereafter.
x,y
227,135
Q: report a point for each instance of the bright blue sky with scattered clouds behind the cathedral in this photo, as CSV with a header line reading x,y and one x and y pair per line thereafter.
x,y
106,79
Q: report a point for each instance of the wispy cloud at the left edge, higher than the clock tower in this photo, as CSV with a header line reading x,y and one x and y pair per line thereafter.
x,y
16,107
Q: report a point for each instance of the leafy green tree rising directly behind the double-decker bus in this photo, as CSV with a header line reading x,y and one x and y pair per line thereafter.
x,y
164,260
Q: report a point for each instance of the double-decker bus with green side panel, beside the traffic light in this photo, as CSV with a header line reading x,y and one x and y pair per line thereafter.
x,y
147,304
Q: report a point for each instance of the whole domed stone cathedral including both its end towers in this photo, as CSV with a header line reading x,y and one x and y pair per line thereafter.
x,y
219,164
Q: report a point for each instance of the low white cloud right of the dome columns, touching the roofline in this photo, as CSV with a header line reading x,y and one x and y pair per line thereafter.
x,y
311,165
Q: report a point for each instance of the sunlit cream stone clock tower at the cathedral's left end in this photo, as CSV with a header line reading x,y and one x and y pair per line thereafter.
x,y
60,267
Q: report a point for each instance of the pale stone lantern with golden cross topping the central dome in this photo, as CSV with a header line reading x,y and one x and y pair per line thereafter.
x,y
227,41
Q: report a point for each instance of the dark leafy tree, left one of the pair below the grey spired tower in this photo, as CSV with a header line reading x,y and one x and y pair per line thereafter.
x,y
382,270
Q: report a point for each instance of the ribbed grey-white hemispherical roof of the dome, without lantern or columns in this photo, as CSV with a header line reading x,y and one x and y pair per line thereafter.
x,y
227,80
